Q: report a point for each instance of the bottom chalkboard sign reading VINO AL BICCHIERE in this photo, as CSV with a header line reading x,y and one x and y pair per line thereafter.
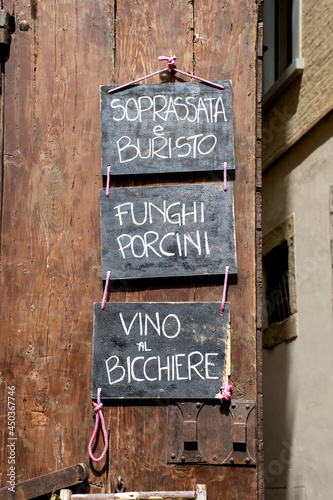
x,y
159,350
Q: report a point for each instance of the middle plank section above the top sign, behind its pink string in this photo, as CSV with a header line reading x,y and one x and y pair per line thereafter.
x,y
147,30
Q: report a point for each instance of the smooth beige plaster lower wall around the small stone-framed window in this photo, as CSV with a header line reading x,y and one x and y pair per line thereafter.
x,y
298,374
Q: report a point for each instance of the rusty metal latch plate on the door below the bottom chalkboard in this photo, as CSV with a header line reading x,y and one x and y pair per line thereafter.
x,y
214,434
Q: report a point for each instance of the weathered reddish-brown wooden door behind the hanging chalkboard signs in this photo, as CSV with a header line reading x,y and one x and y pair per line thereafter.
x,y
61,51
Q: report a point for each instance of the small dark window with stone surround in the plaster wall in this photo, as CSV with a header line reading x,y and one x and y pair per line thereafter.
x,y
279,287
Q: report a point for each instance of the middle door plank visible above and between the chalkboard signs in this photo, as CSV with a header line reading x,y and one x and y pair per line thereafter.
x,y
144,31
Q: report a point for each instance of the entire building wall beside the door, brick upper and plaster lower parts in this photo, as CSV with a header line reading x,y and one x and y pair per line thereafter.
x,y
297,159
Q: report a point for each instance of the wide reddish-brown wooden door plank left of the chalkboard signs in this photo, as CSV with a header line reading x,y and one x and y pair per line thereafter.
x,y
51,252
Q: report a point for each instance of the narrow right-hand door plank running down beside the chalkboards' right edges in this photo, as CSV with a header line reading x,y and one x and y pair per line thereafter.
x,y
226,50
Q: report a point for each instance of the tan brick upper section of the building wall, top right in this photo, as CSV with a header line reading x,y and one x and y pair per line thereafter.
x,y
309,97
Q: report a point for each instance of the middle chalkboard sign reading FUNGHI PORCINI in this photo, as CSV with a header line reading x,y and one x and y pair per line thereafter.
x,y
174,230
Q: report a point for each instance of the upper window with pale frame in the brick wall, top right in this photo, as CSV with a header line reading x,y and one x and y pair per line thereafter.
x,y
282,60
